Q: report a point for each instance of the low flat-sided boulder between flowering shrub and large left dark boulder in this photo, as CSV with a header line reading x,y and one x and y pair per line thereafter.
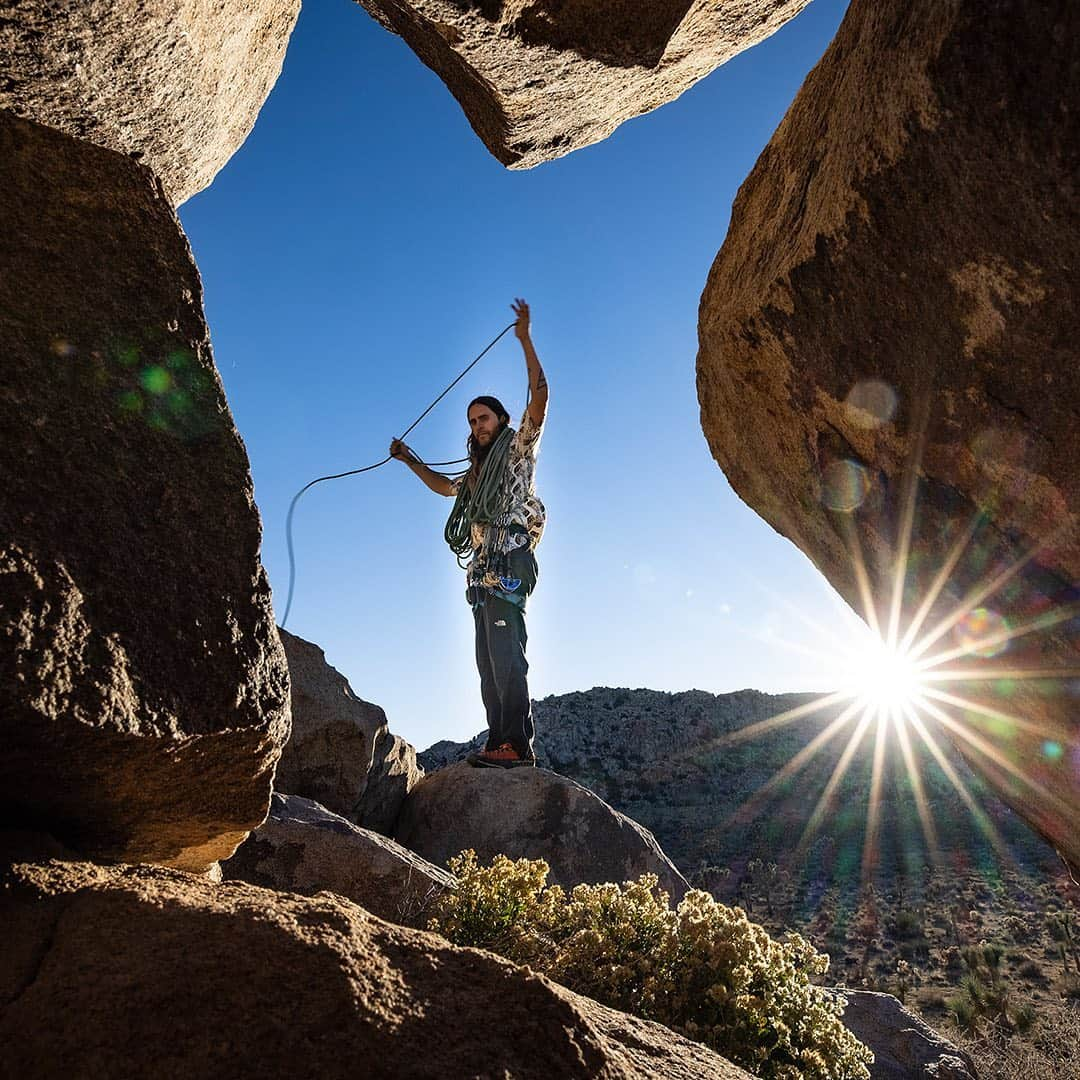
x,y
304,848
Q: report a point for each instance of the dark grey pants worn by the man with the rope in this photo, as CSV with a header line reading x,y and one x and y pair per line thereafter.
x,y
501,660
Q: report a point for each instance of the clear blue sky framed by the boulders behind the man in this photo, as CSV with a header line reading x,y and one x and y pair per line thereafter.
x,y
360,250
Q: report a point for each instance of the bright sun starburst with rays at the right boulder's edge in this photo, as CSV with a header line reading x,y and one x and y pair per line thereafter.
x,y
931,661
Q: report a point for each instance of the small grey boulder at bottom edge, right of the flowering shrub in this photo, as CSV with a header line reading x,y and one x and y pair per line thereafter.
x,y
906,1048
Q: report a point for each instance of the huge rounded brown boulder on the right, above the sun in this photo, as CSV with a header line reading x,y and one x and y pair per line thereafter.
x,y
897,299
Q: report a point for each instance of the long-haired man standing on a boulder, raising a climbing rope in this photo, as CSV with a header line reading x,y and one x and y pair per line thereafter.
x,y
497,523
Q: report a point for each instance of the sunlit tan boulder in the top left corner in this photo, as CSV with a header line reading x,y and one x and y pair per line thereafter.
x,y
177,86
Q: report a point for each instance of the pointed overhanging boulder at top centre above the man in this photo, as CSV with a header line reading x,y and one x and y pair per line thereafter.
x,y
541,78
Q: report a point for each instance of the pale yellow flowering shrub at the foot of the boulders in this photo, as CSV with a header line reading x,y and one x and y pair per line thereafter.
x,y
704,969
